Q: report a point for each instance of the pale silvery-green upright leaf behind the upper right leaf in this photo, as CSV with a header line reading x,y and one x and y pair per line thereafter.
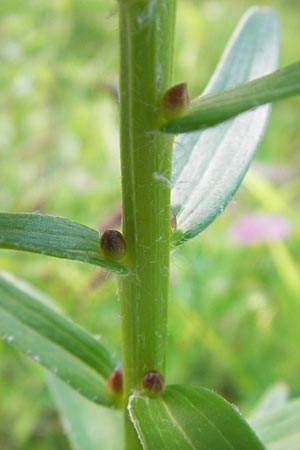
x,y
209,165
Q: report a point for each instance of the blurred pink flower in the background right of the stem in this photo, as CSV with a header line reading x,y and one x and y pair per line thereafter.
x,y
258,228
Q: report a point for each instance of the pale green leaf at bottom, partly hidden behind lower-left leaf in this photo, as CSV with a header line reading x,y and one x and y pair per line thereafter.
x,y
88,426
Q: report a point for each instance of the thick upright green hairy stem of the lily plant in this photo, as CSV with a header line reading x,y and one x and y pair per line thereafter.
x,y
146,39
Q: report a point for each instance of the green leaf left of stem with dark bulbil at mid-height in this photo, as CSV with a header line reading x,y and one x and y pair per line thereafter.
x,y
54,236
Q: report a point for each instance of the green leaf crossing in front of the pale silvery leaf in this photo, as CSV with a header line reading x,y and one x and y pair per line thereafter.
x,y
212,109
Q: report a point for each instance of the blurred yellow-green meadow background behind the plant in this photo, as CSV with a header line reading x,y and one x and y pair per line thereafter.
x,y
234,310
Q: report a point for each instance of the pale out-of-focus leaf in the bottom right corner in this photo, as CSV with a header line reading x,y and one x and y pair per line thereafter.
x,y
278,428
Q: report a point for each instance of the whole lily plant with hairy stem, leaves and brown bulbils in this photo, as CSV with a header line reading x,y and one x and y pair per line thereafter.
x,y
181,163
